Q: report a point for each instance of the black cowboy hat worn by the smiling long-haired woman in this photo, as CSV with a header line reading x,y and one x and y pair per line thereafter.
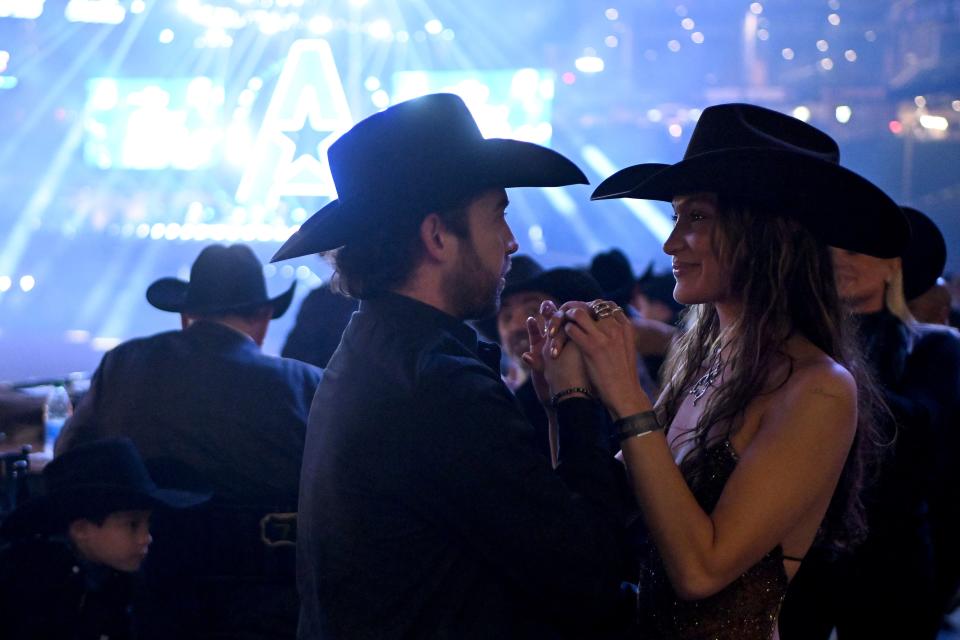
x,y
765,157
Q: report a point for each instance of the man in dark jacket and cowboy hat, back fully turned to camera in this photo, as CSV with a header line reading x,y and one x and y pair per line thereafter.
x,y
208,410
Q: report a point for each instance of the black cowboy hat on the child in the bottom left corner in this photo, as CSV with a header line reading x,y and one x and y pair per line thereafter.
x,y
97,477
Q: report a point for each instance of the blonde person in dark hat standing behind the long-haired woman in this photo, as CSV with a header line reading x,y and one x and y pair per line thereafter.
x,y
900,581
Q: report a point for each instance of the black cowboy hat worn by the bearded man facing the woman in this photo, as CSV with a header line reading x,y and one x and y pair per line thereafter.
x,y
415,157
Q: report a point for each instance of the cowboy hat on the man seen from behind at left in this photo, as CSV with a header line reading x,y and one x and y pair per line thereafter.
x,y
222,279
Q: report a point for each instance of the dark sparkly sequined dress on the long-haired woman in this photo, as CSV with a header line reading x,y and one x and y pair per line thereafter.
x,y
746,609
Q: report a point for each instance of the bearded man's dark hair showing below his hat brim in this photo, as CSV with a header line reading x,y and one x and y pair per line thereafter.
x,y
385,257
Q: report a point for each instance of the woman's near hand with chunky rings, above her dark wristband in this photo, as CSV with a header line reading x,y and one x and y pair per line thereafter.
x,y
607,344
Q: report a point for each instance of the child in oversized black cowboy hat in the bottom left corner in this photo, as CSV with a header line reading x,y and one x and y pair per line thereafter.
x,y
67,556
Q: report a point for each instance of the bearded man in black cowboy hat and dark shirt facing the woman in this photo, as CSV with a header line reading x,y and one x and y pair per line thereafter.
x,y
425,509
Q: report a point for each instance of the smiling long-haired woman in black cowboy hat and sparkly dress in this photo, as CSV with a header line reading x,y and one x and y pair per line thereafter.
x,y
738,465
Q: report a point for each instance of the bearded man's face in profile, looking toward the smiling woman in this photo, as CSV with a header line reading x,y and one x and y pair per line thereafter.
x,y
475,284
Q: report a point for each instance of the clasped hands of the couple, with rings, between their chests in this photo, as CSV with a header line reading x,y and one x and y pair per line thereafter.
x,y
588,345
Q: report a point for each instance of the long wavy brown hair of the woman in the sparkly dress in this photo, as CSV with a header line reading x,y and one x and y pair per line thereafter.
x,y
783,277
